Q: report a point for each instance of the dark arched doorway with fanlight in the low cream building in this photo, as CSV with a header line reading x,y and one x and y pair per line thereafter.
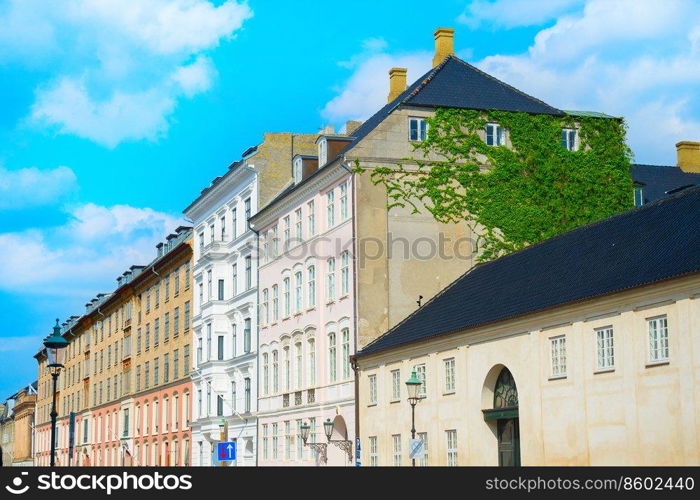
x,y
505,415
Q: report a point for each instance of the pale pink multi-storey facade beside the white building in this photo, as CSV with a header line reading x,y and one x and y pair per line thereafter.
x,y
306,322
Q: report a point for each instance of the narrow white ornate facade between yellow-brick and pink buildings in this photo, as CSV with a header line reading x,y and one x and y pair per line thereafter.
x,y
224,316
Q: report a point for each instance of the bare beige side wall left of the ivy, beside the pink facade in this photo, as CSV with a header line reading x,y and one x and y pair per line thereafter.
x,y
423,270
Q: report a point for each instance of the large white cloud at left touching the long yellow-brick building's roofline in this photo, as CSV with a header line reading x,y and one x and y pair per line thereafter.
x,y
81,257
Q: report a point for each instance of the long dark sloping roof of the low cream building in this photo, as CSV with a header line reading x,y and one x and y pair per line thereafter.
x,y
635,248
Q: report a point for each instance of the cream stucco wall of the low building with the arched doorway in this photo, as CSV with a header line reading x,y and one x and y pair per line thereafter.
x,y
636,414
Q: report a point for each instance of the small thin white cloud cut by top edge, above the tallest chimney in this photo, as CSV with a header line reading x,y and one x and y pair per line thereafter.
x,y
513,13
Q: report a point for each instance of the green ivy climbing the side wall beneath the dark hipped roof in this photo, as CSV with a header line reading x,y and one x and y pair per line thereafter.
x,y
529,192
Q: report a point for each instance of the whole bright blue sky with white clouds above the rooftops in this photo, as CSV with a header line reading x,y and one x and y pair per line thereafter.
x,y
114,115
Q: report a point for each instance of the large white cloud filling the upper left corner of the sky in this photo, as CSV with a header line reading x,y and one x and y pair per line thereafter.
x,y
119,68
